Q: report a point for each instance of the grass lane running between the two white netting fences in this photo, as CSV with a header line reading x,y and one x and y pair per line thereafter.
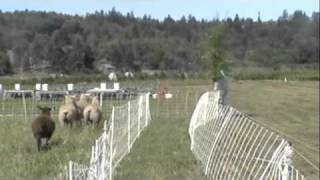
x,y
162,152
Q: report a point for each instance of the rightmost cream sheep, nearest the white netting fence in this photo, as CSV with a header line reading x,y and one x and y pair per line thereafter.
x,y
92,113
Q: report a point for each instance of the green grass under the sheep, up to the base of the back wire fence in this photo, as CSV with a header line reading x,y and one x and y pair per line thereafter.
x,y
19,156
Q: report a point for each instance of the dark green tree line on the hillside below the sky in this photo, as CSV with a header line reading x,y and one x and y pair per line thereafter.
x,y
53,42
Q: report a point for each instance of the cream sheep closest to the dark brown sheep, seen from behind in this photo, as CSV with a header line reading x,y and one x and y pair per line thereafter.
x,y
69,112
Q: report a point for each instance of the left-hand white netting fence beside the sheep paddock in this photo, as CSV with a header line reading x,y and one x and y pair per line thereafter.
x,y
119,133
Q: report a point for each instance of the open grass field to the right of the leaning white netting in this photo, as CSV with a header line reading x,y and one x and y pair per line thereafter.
x,y
291,109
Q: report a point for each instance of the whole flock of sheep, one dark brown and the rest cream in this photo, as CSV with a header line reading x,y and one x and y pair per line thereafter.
x,y
83,109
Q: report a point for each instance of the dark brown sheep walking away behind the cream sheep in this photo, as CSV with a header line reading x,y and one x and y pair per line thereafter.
x,y
43,126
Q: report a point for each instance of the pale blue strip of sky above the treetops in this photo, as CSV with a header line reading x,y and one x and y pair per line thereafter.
x,y
201,9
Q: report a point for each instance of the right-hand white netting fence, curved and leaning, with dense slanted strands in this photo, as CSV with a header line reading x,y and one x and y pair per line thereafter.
x,y
231,146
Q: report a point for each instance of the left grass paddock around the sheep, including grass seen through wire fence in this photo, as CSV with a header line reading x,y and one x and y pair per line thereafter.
x,y
18,151
